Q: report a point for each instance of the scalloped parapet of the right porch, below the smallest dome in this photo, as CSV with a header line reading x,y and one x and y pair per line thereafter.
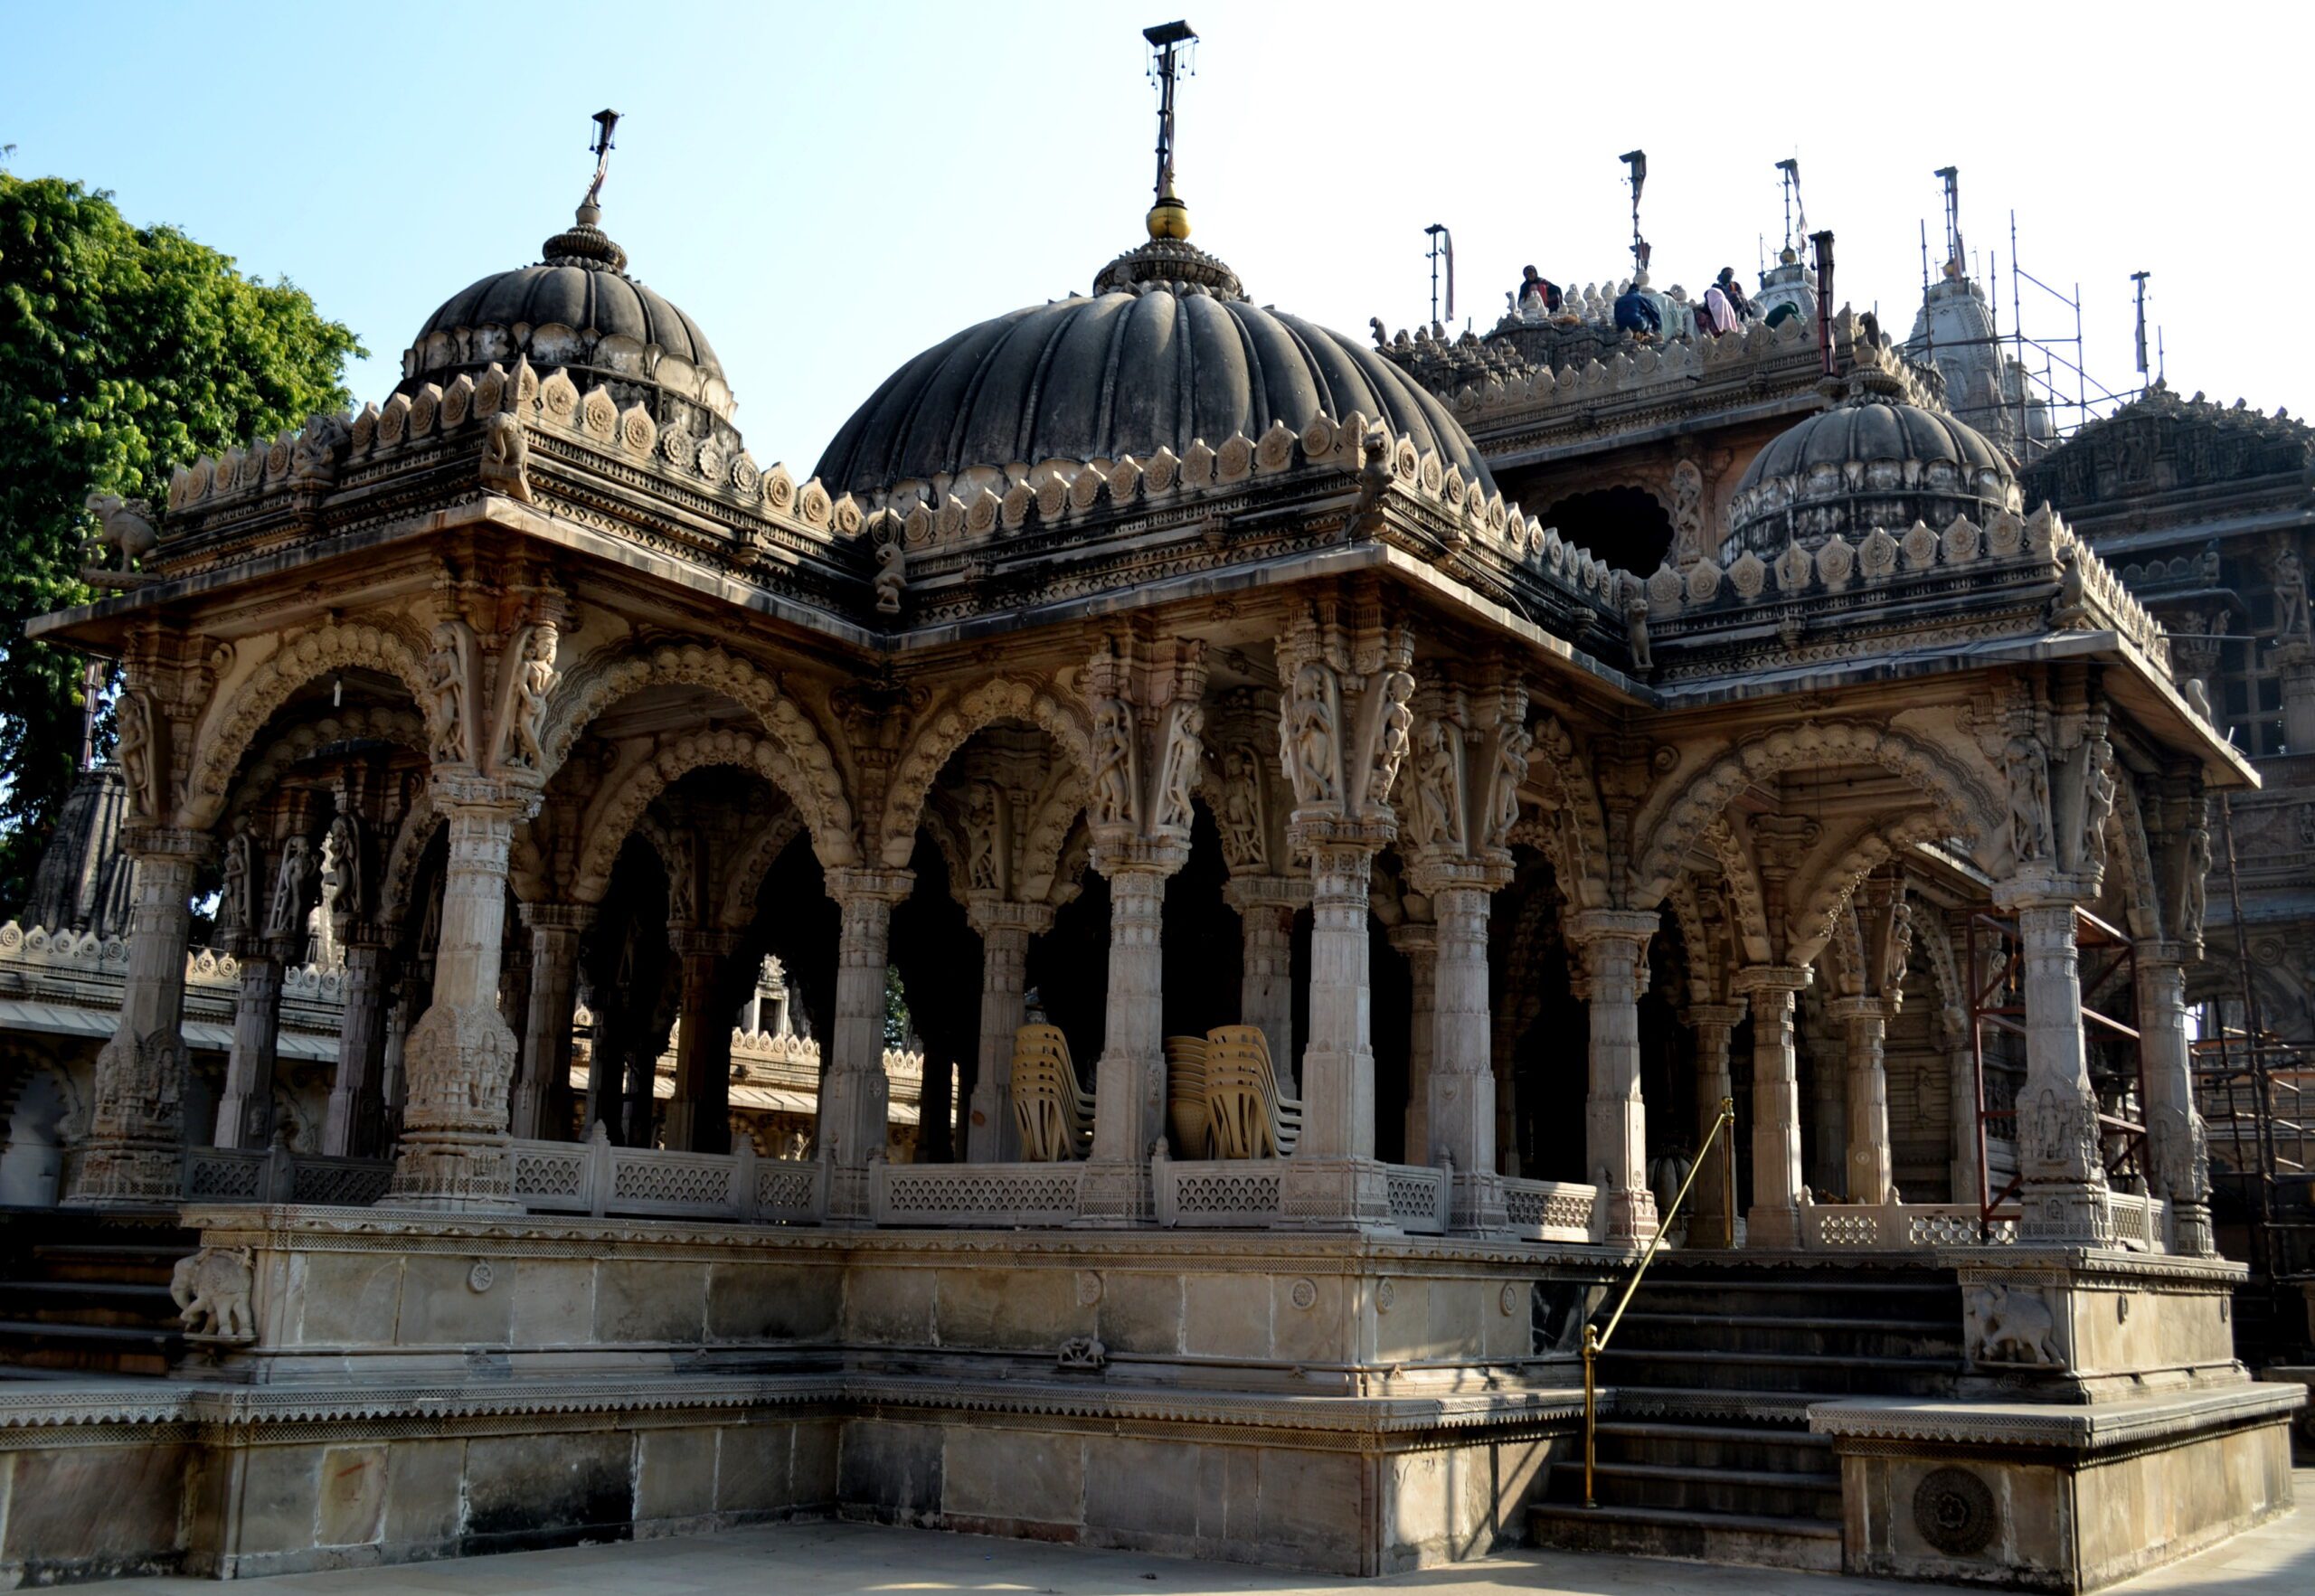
x,y
1923,562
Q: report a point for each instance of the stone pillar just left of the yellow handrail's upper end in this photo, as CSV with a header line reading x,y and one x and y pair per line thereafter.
x,y
1617,1120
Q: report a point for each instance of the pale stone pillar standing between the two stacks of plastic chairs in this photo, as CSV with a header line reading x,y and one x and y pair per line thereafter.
x,y
1129,1088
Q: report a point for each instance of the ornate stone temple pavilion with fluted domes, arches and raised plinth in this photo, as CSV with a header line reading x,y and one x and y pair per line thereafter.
x,y
1348,819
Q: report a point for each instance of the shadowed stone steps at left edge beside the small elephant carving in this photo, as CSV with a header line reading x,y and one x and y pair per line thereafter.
x,y
89,1294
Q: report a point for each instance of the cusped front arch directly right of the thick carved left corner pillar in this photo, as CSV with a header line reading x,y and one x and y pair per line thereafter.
x,y
793,754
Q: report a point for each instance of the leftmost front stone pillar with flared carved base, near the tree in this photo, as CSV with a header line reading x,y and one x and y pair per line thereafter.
x,y
138,1125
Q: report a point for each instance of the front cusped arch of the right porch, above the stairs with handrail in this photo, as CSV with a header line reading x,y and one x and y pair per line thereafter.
x,y
1964,807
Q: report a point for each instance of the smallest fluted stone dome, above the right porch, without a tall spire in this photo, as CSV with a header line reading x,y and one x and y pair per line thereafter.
x,y
1867,462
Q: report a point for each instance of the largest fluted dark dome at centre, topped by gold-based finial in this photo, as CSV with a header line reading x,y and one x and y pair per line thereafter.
x,y
1168,351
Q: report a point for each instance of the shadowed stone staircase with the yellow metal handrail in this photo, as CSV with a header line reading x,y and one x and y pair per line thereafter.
x,y
1705,1449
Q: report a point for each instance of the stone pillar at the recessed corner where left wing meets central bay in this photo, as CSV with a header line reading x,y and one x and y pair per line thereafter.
x,y
855,1099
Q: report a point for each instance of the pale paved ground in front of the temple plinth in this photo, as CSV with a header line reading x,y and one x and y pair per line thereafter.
x,y
825,1560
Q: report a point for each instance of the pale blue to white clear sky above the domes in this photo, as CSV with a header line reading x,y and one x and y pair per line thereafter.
x,y
830,189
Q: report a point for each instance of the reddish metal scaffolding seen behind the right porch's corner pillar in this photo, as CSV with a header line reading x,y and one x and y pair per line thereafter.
x,y
2108,965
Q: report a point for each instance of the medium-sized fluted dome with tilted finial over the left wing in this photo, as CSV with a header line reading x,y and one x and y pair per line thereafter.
x,y
578,309
